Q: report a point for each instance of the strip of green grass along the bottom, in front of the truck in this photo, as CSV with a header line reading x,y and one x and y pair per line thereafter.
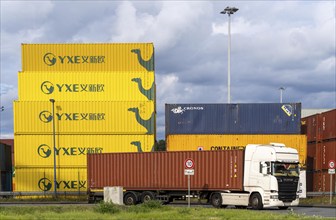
x,y
150,210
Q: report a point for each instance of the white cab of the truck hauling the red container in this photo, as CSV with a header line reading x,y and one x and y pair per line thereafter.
x,y
271,177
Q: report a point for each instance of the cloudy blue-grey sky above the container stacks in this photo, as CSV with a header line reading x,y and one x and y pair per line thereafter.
x,y
274,44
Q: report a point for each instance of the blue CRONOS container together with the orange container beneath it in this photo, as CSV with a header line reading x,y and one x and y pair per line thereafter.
x,y
233,126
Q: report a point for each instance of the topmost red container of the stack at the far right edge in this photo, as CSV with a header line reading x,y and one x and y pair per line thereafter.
x,y
328,125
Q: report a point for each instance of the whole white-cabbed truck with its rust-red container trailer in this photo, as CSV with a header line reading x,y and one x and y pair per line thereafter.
x,y
259,176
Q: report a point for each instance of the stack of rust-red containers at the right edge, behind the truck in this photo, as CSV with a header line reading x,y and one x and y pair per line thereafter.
x,y
321,143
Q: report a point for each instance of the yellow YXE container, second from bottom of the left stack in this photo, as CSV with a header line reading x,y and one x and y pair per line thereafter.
x,y
71,150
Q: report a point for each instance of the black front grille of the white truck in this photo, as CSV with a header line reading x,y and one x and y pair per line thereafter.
x,y
287,188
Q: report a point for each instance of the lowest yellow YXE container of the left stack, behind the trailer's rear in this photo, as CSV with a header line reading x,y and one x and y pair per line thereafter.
x,y
41,179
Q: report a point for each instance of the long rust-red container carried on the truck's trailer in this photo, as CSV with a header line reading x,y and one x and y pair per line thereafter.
x,y
213,170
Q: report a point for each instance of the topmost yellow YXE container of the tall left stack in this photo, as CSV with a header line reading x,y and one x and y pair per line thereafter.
x,y
88,57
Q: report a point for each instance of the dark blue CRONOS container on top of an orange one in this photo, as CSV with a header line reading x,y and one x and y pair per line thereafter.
x,y
264,118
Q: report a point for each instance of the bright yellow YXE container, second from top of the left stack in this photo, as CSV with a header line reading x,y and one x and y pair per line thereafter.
x,y
86,86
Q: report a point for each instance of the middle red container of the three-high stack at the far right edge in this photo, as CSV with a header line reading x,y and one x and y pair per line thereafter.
x,y
325,152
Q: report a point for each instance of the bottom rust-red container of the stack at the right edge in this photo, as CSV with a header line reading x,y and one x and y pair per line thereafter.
x,y
322,182
